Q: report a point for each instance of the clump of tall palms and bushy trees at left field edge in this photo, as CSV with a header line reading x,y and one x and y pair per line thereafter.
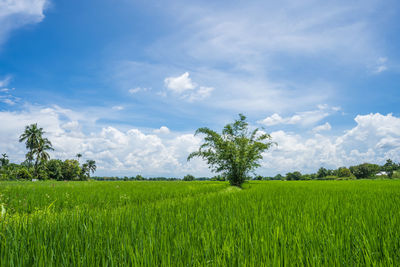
x,y
38,165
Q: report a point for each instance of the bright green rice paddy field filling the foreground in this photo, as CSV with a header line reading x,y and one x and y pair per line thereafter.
x,y
319,223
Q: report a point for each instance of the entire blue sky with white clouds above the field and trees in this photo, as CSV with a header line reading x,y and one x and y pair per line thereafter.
x,y
127,82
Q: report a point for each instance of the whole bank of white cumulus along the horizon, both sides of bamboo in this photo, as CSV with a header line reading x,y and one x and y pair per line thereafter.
x,y
374,138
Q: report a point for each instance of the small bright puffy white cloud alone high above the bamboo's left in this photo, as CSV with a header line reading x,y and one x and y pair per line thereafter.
x,y
186,88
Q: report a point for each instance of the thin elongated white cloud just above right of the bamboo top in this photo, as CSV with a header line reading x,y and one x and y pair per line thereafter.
x,y
304,118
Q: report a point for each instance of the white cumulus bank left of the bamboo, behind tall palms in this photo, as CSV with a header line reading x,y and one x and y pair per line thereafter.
x,y
116,152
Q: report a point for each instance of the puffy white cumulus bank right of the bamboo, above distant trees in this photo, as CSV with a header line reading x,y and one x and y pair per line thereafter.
x,y
374,139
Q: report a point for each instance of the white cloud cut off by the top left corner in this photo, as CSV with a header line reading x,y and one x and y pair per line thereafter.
x,y
17,13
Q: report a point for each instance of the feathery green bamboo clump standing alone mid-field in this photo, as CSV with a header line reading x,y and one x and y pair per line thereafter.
x,y
235,152
